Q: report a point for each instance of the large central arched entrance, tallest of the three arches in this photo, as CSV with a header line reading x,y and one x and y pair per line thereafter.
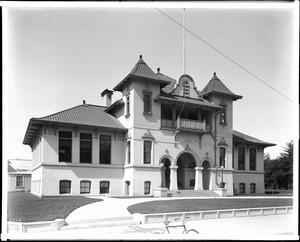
x,y
186,172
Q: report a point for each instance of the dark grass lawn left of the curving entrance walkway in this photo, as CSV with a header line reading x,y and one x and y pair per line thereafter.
x,y
25,207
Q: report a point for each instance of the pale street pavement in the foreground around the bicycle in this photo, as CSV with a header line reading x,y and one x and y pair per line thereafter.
x,y
271,227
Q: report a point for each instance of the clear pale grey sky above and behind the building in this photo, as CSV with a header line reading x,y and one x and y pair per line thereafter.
x,y
56,57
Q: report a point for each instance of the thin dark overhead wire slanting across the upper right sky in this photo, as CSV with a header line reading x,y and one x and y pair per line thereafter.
x,y
227,57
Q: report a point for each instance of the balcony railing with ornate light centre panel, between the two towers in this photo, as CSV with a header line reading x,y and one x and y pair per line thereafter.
x,y
186,125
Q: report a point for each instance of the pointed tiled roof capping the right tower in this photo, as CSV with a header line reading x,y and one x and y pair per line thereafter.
x,y
216,86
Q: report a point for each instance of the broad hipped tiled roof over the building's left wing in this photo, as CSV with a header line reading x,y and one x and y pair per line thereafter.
x,y
82,115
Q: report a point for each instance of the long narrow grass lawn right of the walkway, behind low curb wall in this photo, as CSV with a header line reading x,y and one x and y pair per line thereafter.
x,y
186,205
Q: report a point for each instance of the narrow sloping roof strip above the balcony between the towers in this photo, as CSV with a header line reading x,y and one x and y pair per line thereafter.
x,y
193,101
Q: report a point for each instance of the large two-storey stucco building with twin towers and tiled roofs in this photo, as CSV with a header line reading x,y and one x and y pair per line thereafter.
x,y
162,134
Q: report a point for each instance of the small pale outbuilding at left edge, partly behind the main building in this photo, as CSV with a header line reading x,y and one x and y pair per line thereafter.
x,y
19,175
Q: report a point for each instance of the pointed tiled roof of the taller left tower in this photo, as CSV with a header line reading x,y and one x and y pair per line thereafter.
x,y
141,70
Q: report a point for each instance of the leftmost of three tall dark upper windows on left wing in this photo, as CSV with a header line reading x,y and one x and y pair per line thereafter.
x,y
65,146
